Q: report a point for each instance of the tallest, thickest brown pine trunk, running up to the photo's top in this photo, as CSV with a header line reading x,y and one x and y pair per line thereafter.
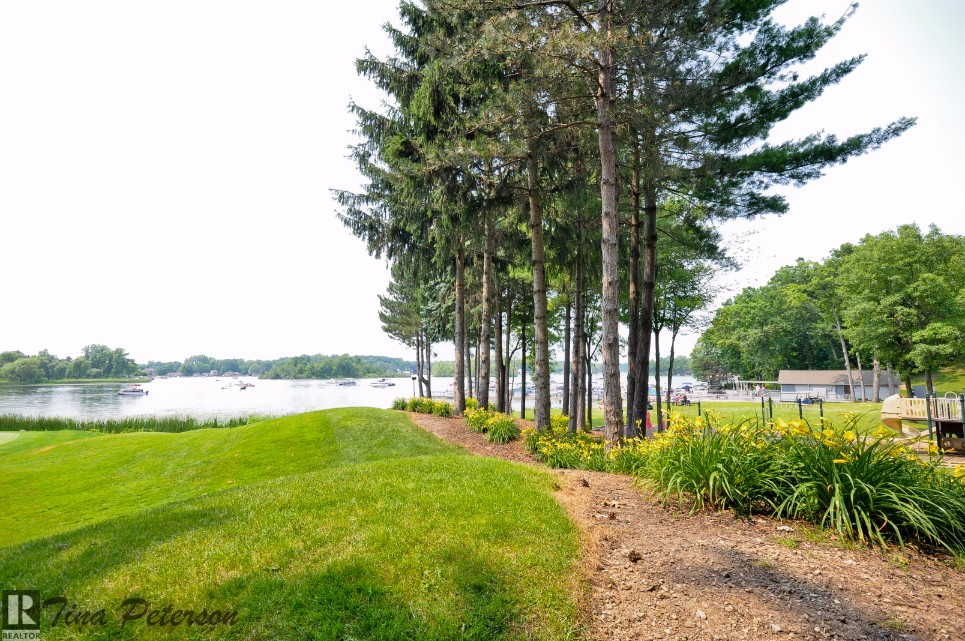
x,y
609,195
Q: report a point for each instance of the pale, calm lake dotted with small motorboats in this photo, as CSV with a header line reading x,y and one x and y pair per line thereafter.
x,y
208,397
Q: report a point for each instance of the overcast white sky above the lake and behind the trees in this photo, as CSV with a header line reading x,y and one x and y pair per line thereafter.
x,y
165,169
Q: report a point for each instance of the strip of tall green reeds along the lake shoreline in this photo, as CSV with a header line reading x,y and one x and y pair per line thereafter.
x,y
17,423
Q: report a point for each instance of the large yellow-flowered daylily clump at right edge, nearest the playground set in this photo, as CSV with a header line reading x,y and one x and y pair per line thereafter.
x,y
869,487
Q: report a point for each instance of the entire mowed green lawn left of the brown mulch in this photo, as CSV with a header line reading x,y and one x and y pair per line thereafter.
x,y
343,524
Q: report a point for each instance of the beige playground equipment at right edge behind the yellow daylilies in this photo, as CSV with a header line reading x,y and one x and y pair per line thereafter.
x,y
943,416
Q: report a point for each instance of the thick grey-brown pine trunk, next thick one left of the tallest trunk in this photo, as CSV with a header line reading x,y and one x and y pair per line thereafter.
x,y
541,371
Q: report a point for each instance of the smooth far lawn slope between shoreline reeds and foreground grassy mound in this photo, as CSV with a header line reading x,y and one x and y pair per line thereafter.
x,y
67,479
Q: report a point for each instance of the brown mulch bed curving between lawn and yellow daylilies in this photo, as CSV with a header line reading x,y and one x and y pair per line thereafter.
x,y
657,573
